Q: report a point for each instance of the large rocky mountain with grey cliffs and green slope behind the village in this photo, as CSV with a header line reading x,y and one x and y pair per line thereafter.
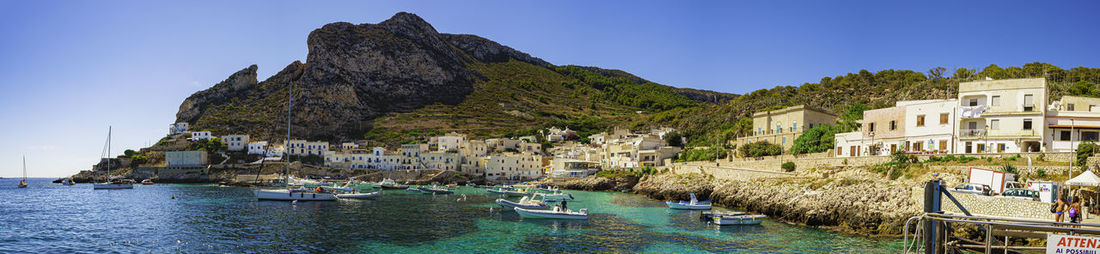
x,y
401,80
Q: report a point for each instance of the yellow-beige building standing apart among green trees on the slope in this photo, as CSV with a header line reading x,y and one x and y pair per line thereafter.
x,y
783,126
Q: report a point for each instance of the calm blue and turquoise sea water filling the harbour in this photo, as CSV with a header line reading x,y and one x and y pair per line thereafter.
x,y
51,218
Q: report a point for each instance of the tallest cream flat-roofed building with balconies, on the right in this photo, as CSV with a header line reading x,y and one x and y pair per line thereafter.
x,y
1004,116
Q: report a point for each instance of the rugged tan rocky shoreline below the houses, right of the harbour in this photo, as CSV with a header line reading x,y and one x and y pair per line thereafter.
x,y
849,202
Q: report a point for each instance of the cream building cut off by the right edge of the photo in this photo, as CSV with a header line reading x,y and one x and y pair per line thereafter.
x,y
1072,122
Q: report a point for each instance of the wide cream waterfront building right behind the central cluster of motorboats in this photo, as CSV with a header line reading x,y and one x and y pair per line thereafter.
x,y
513,167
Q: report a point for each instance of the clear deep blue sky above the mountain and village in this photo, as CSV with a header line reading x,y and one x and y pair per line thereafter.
x,y
73,69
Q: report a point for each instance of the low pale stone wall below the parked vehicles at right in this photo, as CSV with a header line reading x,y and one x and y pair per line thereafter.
x,y
998,207
